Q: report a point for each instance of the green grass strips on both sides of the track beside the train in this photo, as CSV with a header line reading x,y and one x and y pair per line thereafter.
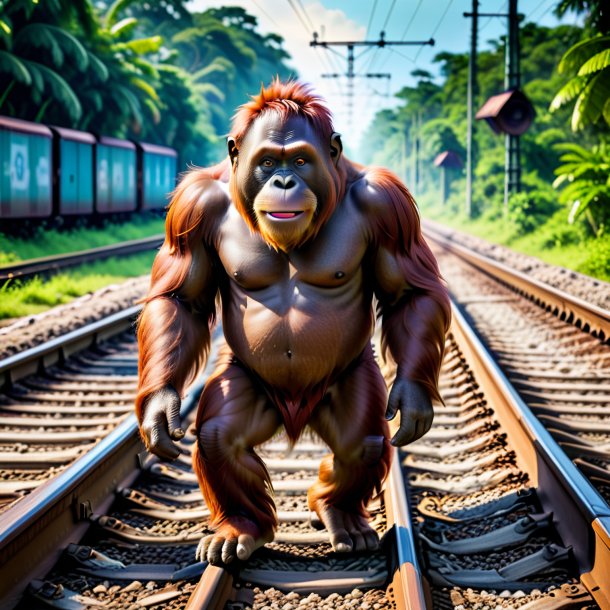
x,y
37,295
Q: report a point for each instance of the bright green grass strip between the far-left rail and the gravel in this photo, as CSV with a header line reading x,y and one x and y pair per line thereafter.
x,y
37,295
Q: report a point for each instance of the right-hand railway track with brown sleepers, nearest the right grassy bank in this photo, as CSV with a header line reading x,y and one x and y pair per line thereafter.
x,y
555,350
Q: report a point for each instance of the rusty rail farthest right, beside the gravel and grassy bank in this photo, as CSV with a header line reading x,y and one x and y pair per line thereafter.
x,y
588,316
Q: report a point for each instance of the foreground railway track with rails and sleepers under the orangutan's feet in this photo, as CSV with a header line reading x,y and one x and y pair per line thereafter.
x,y
488,492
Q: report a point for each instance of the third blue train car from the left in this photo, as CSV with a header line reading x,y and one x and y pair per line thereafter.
x,y
115,176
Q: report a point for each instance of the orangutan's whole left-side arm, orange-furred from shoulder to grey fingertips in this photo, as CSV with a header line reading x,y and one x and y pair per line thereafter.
x,y
174,327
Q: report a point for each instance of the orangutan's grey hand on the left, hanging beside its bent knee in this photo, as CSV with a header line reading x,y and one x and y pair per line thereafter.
x,y
161,423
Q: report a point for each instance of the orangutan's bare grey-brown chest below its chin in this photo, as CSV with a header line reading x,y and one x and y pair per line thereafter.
x,y
328,260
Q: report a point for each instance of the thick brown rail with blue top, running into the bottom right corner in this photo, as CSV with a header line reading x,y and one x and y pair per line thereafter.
x,y
581,515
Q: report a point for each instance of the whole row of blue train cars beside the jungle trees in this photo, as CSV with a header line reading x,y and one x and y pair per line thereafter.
x,y
54,172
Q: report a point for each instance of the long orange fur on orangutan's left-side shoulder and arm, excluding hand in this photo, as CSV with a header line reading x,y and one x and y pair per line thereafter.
x,y
173,341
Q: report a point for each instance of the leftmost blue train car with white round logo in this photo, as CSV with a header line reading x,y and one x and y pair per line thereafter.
x,y
26,160
